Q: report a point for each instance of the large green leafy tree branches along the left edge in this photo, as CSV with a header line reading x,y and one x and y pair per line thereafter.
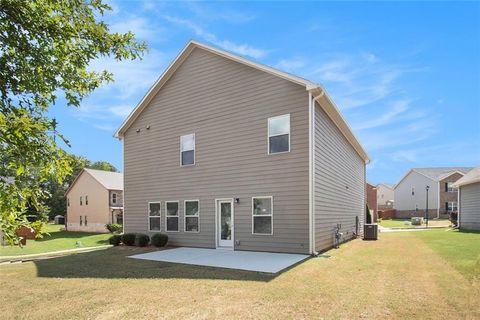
x,y
45,49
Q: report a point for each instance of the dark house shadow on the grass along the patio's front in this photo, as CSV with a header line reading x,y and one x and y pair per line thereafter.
x,y
114,264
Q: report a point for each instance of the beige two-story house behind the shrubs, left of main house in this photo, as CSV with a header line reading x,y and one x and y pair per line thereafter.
x,y
94,199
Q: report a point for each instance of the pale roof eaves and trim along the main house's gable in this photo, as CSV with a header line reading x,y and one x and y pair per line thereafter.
x,y
318,93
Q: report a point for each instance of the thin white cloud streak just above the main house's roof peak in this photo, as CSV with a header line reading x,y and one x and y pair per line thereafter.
x,y
242,49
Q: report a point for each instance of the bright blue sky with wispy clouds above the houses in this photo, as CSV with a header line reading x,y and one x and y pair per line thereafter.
x,y
405,75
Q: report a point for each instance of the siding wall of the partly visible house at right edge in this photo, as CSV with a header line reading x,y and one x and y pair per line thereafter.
x,y
470,206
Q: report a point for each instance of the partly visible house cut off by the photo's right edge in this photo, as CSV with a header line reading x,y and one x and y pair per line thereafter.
x,y
469,200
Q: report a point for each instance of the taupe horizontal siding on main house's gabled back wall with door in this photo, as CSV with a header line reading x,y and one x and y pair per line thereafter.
x,y
226,105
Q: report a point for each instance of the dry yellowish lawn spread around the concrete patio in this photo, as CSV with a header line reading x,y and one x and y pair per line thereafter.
x,y
404,275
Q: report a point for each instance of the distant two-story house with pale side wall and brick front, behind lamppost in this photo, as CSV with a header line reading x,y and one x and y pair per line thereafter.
x,y
410,192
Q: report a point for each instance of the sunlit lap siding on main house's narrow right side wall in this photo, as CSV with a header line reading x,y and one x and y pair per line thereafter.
x,y
337,166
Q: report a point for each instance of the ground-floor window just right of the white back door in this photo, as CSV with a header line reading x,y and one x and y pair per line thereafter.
x,y
262,215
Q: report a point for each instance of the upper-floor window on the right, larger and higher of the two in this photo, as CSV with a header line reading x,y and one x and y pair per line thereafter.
x,y
279,134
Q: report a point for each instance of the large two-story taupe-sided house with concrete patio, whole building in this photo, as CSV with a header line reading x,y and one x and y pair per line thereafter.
x,y
223,152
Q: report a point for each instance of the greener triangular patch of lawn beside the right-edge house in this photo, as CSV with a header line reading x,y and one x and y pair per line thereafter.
x,y
460,248
